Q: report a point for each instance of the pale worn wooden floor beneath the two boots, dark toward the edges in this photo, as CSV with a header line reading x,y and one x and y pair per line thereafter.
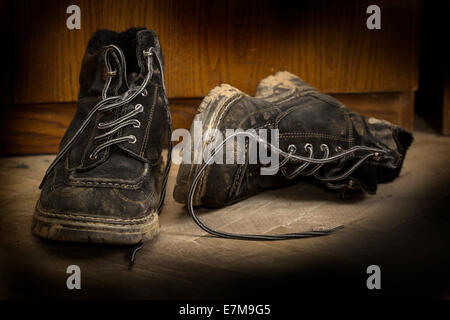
x,y
404,228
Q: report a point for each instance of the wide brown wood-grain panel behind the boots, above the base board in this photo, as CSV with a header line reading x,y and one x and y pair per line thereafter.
x,y
238,42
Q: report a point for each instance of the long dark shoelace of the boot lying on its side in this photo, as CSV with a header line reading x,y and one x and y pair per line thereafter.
x,y
372,152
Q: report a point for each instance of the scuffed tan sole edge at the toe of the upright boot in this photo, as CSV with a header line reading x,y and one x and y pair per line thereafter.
x,y
78,228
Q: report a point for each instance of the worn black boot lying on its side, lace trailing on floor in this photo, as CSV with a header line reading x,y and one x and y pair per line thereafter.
x,y
319,140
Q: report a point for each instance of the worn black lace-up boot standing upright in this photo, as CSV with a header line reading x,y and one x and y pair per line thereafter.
x,y
107,183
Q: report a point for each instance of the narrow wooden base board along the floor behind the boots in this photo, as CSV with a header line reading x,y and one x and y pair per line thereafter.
x,y
38,128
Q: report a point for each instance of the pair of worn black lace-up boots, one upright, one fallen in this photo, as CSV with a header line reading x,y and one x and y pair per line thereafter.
x,y
108,181
